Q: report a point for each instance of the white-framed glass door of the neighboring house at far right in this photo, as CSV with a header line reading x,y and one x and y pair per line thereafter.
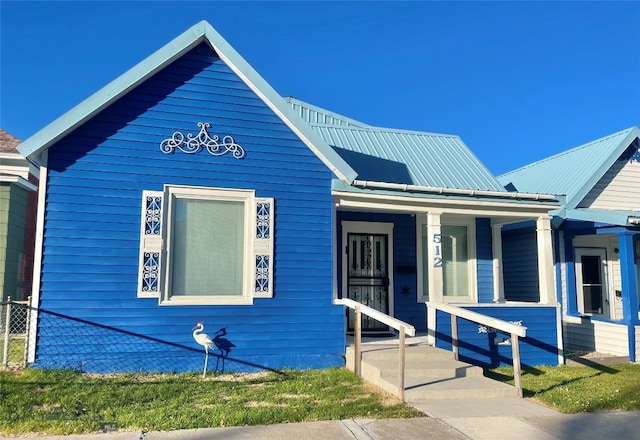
x,y
591,281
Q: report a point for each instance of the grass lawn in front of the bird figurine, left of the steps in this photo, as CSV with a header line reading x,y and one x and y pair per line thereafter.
x,y
66,402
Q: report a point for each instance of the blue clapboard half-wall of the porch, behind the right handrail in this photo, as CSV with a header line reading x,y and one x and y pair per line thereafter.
x,y
539,347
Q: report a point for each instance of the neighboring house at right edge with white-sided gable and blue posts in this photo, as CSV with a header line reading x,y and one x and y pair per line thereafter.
x,y
597,237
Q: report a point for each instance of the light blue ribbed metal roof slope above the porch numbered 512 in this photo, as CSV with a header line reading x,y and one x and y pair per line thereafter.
x,y
409,157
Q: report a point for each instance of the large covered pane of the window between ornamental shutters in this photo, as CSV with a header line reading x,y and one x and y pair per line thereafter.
x,y
207,247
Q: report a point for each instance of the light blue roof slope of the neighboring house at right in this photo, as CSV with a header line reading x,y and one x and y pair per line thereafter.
x,y
574,172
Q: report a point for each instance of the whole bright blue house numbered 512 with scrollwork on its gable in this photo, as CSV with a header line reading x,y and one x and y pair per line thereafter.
x,y
188,190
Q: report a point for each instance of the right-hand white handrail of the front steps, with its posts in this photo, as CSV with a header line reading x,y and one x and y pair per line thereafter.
x,y
514,330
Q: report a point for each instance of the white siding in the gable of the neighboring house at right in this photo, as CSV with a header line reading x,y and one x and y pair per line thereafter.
x,y
618,189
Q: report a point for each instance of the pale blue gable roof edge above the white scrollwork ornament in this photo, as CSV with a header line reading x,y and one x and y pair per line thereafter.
x,y
201,32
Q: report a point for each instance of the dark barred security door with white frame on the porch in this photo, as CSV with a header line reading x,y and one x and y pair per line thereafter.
x,y
366,274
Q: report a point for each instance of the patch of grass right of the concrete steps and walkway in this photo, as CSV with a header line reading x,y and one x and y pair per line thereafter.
x,y
572,390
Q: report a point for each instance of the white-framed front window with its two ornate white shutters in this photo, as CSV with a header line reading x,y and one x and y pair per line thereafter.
x,y
207,246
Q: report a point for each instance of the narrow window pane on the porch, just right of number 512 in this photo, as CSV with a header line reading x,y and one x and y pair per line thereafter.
x,y
455,271
